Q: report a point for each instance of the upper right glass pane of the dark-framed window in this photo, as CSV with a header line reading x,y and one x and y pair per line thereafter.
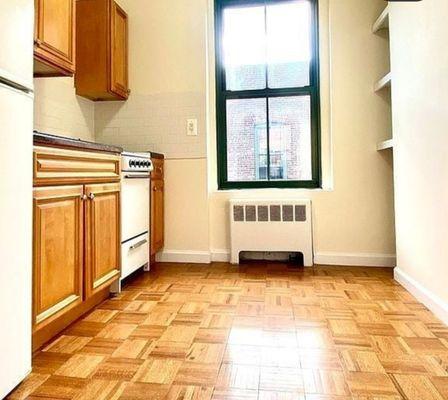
x,y
289,44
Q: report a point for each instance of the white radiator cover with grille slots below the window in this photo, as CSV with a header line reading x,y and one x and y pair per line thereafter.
x,y
271,226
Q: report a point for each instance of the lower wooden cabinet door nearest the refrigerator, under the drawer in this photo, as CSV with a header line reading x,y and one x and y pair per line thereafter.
x,y
58,251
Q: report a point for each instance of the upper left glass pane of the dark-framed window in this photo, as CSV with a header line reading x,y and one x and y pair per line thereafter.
x,y
244,45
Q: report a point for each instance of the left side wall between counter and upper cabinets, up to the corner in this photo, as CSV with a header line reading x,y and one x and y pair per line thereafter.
x,y
59,111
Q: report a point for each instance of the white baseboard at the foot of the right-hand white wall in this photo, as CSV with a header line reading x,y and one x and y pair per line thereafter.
x,y
422,294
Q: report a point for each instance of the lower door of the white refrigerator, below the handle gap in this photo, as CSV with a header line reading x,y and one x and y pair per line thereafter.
x,y
16,152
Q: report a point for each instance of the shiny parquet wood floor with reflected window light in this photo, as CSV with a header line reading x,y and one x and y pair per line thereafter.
x,y
257,332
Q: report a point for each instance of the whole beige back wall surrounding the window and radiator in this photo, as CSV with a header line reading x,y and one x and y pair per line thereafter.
x,y
171,77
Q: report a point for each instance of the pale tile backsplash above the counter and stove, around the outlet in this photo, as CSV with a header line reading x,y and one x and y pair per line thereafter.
x,y
154,122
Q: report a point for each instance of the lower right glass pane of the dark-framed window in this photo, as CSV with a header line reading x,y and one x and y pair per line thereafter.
x,y
290,138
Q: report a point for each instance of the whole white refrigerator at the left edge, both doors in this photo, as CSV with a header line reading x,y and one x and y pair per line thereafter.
x,y
16,145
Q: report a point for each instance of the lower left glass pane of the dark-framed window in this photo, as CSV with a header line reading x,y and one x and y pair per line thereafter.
x,y
246,140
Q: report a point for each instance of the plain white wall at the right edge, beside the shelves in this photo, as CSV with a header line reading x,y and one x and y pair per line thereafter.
x,y
419,49
